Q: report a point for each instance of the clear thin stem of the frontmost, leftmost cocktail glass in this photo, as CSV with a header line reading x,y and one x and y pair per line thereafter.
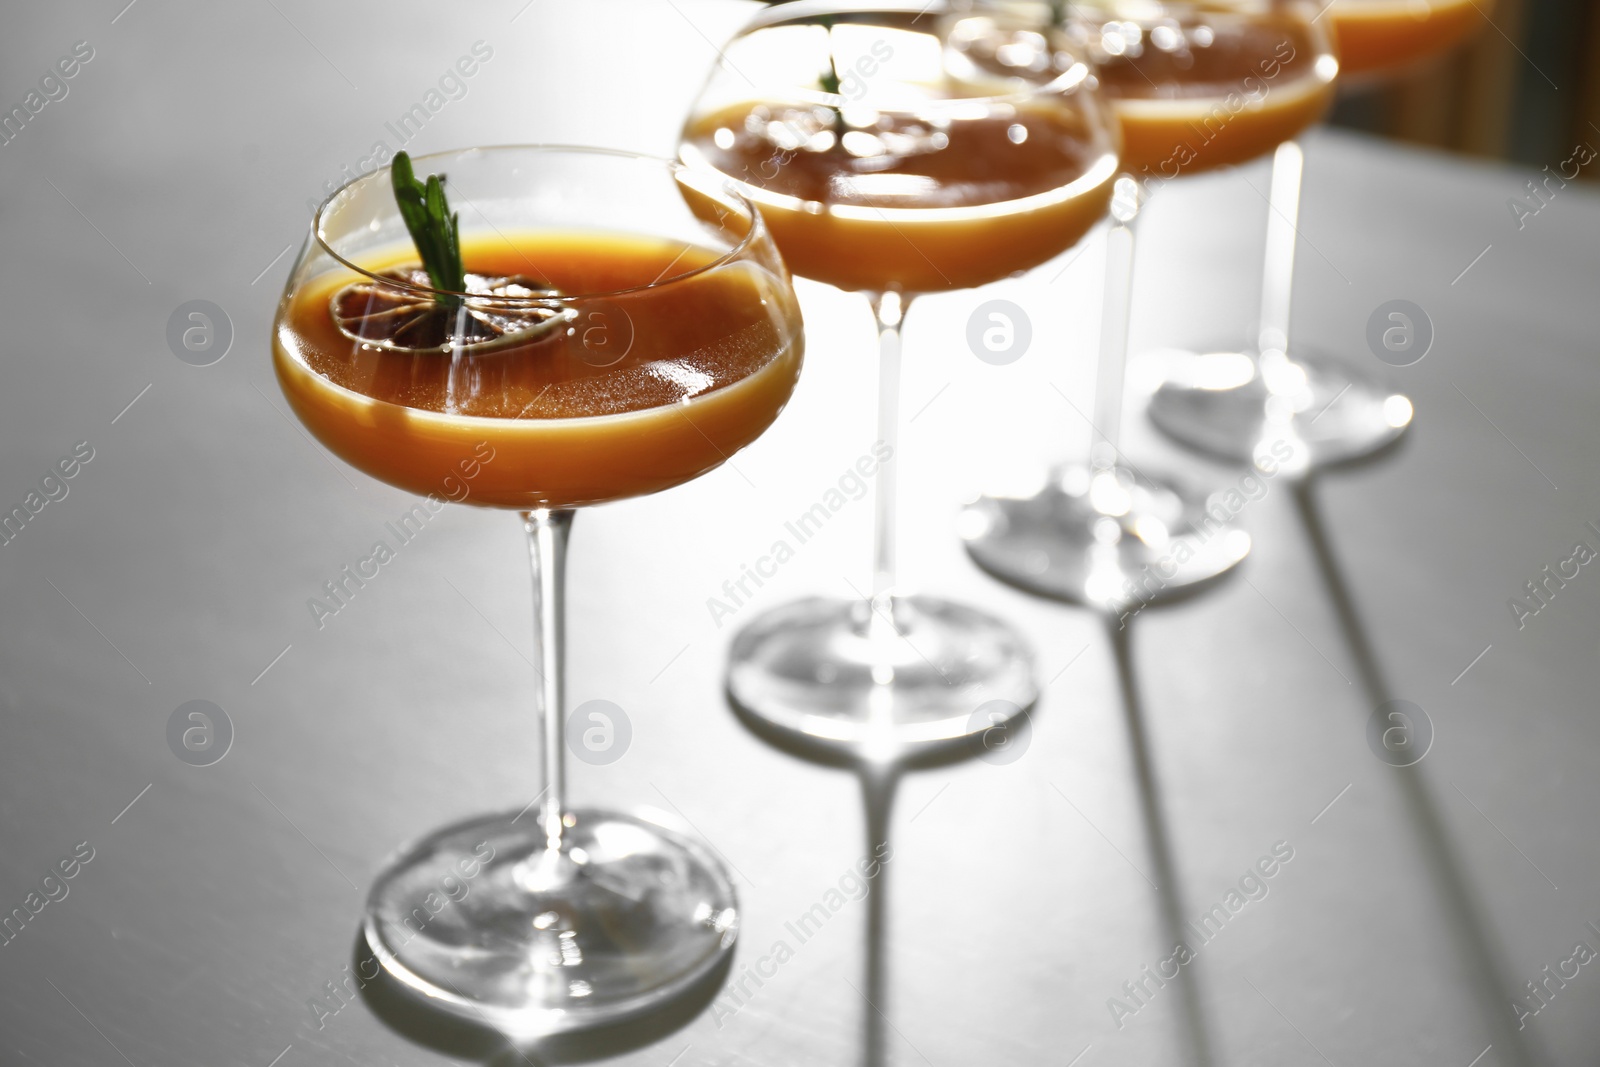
x,y
548,533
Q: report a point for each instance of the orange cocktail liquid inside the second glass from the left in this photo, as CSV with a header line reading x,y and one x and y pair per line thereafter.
x,y
1006,191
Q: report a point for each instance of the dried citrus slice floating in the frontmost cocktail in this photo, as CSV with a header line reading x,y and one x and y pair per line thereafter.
x,y
386,314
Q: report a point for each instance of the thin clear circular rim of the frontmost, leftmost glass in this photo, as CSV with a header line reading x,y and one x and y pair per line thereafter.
x,y
473,300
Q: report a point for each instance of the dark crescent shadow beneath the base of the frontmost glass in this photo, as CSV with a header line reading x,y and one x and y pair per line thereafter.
x,y
412,1018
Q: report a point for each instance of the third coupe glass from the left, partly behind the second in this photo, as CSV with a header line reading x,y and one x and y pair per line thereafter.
x,y
1196,86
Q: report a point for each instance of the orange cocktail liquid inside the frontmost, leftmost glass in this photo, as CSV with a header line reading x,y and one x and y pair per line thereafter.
x,y
638,394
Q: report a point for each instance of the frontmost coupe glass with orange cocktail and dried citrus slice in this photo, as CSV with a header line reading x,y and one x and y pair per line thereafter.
x,y
626,326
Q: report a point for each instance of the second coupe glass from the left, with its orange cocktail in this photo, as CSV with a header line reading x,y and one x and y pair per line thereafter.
x,y
886,170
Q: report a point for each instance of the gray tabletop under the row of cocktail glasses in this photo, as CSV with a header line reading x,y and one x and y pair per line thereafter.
x,y
1026,900
